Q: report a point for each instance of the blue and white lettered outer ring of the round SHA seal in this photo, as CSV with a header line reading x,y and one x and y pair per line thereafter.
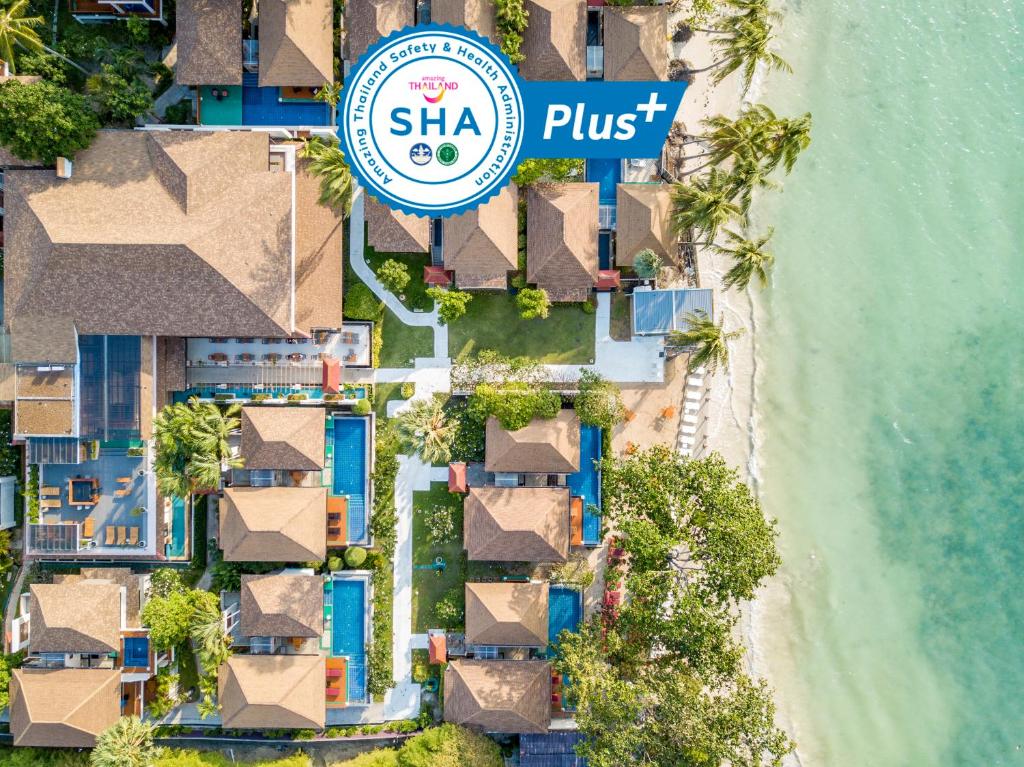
x,y
360,154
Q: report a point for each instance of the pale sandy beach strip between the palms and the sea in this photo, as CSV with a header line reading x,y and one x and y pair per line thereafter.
x,y
732,423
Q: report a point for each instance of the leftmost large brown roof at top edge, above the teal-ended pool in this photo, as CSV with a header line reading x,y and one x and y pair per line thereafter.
x,y
209,39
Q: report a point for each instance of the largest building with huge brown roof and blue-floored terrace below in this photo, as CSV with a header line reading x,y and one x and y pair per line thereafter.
x,y
99,308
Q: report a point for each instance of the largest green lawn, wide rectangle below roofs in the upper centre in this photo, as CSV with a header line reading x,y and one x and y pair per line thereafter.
x,y
493,322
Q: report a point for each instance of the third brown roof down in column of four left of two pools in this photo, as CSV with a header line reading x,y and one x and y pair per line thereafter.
x,y
282,606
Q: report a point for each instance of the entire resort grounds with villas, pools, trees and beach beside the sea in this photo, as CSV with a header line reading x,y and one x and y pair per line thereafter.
x,y
291,464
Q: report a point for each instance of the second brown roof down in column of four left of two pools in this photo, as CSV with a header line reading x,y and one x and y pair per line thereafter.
x,y
274,525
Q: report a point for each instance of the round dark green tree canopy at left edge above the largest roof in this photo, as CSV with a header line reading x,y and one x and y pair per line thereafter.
x,y
42,121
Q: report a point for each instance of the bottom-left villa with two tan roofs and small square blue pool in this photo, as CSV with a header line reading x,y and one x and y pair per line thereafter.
x,y
88,661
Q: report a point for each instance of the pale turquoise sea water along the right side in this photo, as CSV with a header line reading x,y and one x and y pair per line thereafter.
x,y
891,387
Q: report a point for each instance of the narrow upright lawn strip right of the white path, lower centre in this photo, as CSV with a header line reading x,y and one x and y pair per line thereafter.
x,y
429,586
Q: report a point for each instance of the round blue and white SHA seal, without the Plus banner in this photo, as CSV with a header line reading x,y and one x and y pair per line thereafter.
x,y
433,120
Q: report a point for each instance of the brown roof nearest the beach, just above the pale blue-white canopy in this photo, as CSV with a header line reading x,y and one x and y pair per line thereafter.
x,y
645,221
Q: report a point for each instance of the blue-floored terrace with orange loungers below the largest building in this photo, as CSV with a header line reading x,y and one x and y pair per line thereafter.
x,y
98,507
